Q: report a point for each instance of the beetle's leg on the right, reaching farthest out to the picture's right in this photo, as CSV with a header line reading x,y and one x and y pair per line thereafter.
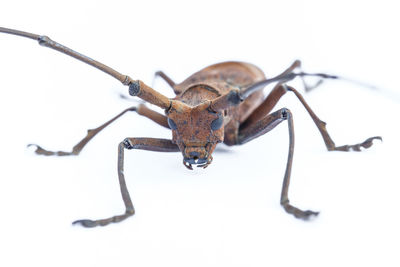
x,y
275,95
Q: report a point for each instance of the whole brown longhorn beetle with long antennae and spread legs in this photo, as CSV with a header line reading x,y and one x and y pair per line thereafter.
x,y
223,102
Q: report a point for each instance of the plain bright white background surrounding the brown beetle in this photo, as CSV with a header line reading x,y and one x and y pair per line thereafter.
x,y
228,214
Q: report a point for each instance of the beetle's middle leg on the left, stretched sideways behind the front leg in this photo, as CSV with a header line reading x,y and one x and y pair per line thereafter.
x,y
141,110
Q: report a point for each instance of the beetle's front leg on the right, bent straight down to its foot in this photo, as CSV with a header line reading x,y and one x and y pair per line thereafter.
x,y
262,127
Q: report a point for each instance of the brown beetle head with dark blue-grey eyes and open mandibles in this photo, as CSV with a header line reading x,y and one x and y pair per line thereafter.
x,y
196,130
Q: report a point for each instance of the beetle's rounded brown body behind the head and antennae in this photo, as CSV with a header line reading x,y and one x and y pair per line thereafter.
x,y
218,79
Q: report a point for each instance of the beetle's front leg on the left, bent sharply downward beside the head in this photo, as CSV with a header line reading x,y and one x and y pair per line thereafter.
x,y
152,144
